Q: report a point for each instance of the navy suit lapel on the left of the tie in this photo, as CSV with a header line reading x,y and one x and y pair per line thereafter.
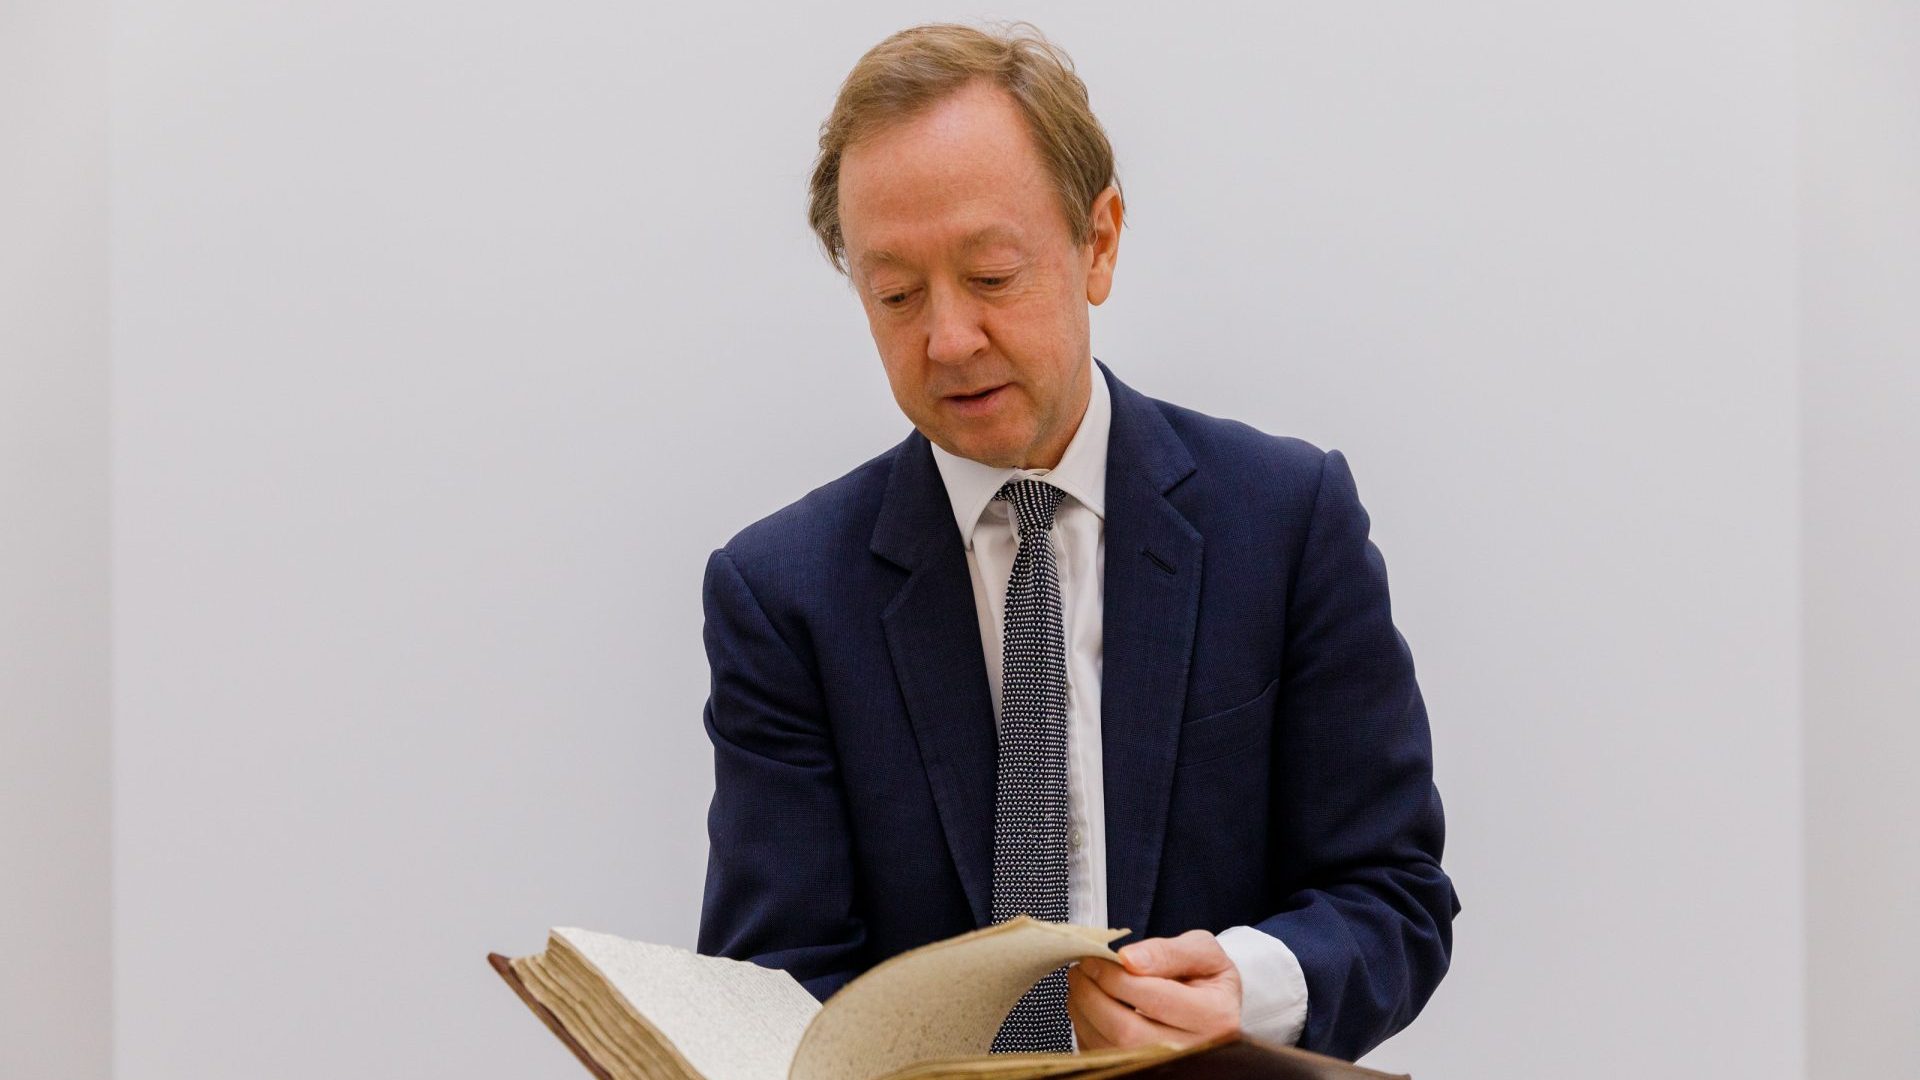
x,y
934,639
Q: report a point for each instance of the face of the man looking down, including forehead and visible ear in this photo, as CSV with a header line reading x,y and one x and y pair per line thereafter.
x,y
971,278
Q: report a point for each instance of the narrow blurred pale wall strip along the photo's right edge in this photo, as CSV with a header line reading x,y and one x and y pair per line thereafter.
x,y
1861,387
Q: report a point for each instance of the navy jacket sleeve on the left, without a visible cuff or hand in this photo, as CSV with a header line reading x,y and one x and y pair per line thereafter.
x,y
780,887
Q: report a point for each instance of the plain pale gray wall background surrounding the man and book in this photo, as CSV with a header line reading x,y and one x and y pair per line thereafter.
x,y
377,380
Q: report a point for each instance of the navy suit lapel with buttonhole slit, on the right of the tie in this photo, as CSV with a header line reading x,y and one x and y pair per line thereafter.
x,y
1151,606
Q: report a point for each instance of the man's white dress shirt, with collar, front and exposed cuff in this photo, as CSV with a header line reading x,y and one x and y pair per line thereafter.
x,y
1274,991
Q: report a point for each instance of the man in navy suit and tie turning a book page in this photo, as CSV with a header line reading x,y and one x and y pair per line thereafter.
x,y
1065,650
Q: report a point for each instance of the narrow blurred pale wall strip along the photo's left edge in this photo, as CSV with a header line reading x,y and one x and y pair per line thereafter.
x,y
55,806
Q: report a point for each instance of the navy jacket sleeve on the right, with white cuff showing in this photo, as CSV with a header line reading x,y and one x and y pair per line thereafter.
x,y
1356,818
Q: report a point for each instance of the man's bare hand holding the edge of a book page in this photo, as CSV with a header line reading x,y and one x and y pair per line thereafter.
x,y
1180,991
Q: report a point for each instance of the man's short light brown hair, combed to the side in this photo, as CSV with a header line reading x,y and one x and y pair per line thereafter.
x,y
921,66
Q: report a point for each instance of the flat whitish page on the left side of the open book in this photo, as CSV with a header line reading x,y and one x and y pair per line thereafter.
x,y
729,1019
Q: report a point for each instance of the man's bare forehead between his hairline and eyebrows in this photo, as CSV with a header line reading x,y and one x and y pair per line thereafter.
x,y
961,176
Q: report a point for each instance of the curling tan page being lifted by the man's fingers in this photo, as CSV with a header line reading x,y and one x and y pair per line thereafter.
x,y
942,1000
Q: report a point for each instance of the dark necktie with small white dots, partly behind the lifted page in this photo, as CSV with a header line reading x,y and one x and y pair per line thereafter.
x,y
1030,810
